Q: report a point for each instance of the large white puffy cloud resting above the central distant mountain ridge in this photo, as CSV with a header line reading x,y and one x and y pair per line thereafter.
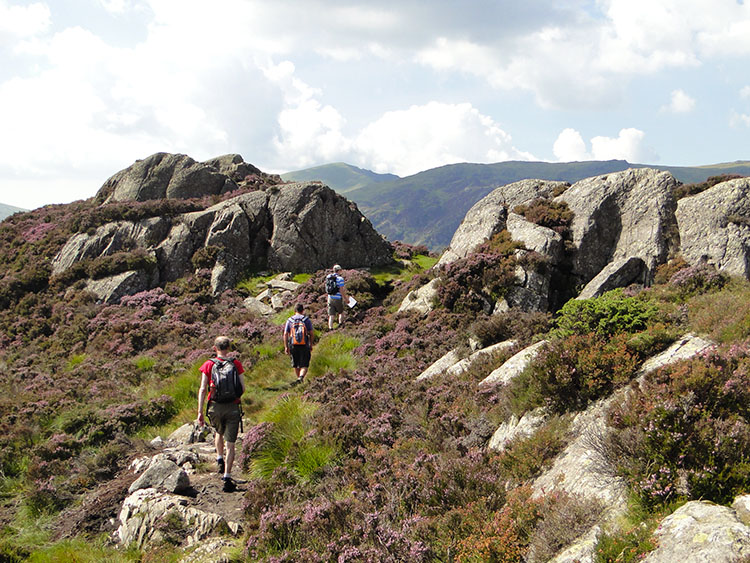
x,y
408,141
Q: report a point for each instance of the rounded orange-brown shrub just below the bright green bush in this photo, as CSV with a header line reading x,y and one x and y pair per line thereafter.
x,y
574,371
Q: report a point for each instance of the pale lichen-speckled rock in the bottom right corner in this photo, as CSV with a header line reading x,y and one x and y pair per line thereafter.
x,y
701,531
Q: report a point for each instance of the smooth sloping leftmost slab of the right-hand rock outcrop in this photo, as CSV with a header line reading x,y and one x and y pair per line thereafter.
x,y
489,215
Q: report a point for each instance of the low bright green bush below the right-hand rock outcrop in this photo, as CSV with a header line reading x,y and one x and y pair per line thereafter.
x,y
609,314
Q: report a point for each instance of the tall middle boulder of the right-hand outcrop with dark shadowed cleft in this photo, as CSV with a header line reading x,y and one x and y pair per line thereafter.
x,y
622,215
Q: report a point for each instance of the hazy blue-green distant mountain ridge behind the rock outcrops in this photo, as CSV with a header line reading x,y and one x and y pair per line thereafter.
x,y
426,208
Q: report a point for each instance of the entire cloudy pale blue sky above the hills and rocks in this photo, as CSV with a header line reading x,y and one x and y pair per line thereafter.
x,y
87,87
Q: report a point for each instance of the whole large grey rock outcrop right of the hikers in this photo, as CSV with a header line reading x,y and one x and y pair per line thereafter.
x,y
624,225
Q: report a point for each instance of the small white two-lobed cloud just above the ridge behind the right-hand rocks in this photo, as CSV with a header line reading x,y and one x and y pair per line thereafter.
x,y
628,145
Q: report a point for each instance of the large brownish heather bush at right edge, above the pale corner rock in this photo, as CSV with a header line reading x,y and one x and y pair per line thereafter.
x,y
684,432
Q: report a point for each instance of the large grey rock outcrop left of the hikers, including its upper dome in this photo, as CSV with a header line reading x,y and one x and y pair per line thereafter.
x,y
293,227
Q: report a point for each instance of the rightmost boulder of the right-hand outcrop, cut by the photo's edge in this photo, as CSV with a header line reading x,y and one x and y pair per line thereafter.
x,y
715,227
